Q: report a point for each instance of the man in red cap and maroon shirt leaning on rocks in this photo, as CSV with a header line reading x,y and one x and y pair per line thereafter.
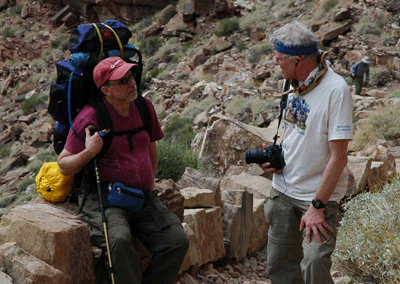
x,y
131,160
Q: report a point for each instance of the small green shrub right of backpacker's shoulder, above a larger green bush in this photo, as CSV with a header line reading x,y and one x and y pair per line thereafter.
x,y
179,129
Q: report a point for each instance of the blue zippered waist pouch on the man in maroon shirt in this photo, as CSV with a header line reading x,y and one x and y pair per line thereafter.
x,y
127,198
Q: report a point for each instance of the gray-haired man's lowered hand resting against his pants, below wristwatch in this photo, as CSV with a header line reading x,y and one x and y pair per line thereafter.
x,y
314,222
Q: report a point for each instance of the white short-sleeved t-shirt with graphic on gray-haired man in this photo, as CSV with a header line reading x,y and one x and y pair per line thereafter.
x,y
310,121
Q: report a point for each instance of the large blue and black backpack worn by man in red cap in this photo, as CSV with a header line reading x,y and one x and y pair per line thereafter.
x,y
75,88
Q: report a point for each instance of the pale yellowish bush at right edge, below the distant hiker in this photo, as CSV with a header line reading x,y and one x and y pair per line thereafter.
x,y
381,124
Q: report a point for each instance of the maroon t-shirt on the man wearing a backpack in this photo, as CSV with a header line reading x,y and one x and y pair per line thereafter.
x,y
120,164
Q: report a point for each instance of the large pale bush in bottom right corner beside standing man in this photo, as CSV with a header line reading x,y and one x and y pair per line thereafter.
x,y
368,242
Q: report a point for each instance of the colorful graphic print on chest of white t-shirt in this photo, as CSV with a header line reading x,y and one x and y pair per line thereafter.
x,y
297,113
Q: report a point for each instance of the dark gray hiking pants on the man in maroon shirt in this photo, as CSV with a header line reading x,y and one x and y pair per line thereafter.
x,y
155,226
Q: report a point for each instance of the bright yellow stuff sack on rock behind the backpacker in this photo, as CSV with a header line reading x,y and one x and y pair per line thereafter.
x,y
52,184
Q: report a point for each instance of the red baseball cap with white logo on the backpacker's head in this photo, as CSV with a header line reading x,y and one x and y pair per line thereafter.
x,y
111,68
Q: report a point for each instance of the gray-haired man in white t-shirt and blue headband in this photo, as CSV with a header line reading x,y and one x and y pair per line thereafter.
x,y
304,200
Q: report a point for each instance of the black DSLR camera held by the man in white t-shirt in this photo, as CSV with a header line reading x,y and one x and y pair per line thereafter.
x,y
273,155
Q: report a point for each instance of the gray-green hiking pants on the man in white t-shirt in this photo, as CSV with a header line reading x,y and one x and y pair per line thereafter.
x,y
290,258
